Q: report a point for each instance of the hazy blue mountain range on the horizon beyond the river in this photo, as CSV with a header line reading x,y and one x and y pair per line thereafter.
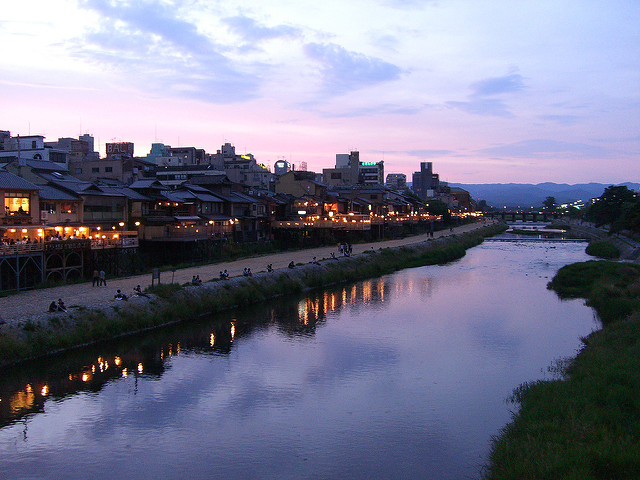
x,y
528,195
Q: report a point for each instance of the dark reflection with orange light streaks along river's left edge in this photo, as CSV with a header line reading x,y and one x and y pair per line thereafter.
x,y
25,390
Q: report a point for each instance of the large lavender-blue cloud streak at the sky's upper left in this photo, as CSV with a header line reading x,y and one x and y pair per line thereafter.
x,y
163,54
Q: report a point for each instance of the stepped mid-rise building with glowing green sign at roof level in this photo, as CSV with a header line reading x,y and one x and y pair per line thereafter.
x,y
349,170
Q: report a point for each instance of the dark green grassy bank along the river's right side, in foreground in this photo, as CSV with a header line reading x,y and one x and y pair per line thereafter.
x,y
585,425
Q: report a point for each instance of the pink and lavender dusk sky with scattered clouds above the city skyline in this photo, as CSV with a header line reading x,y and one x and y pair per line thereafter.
x,y
490,91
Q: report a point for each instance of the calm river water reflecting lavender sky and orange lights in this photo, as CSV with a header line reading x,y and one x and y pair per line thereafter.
x,y
406,376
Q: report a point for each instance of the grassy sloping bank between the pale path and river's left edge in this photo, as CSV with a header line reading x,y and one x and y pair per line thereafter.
x,y
171,303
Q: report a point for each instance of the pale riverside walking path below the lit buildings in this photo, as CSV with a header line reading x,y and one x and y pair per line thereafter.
x,y
33,304
